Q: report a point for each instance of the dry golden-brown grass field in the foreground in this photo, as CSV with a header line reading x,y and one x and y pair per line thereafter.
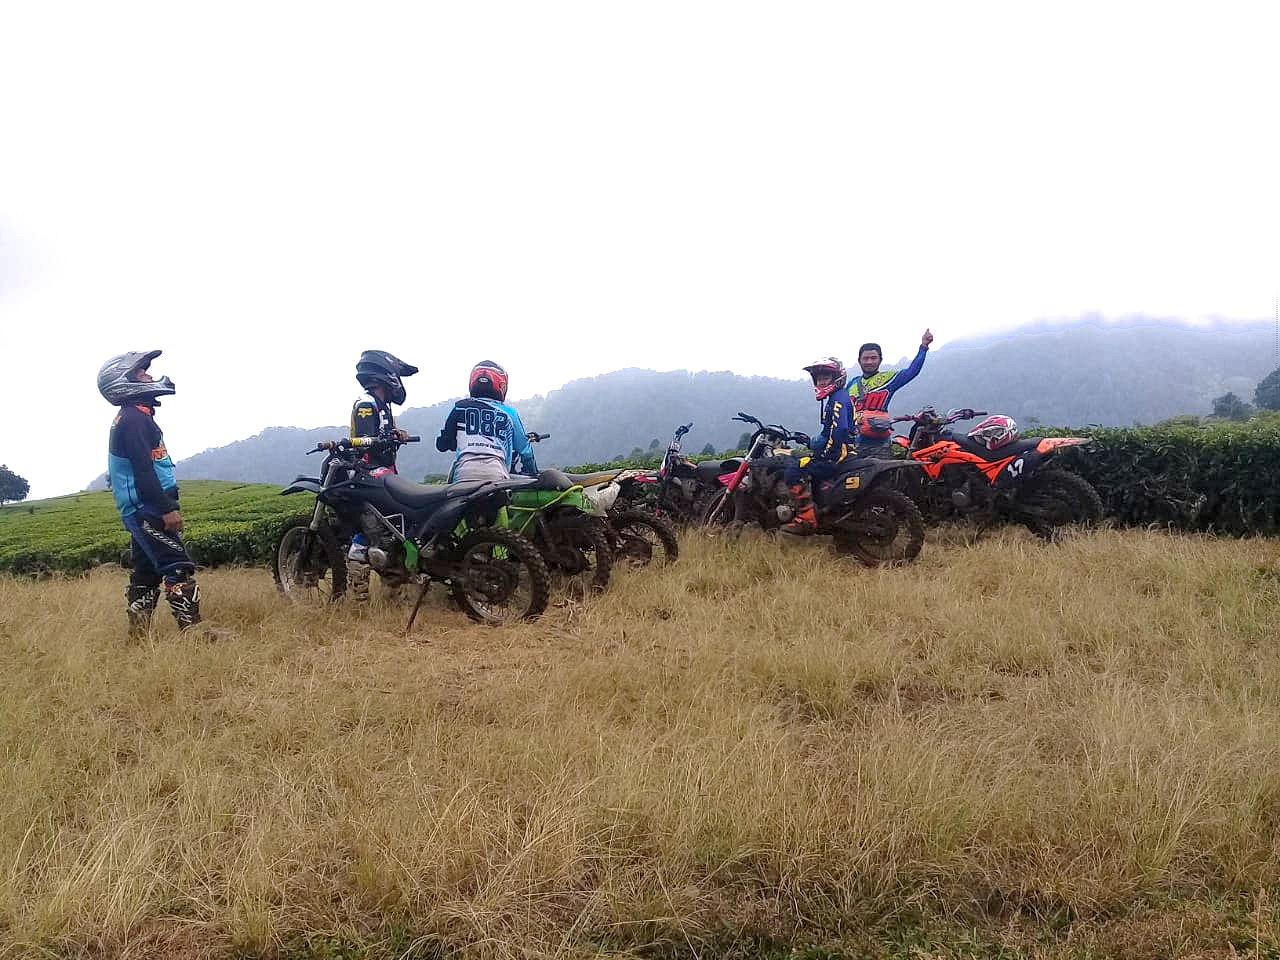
x,y
762,752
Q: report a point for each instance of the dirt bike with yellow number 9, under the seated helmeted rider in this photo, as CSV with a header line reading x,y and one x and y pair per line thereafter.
x,y
867,509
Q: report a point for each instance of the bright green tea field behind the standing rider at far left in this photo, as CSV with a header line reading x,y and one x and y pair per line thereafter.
x,y
84,529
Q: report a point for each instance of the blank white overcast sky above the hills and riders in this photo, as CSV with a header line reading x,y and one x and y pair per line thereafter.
x,y
263,190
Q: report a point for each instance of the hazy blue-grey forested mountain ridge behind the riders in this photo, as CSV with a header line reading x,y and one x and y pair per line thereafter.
x,y
1069,374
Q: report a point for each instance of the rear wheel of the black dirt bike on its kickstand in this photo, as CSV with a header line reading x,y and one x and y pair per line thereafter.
x,y
500,578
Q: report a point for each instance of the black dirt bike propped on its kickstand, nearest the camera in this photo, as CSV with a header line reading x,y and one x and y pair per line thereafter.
x,y
495,574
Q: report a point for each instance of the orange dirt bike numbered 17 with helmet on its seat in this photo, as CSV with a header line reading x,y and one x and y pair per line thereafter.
x,y
1009,479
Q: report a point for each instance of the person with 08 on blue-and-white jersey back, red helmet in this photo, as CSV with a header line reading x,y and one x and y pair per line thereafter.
x,y
486,431
